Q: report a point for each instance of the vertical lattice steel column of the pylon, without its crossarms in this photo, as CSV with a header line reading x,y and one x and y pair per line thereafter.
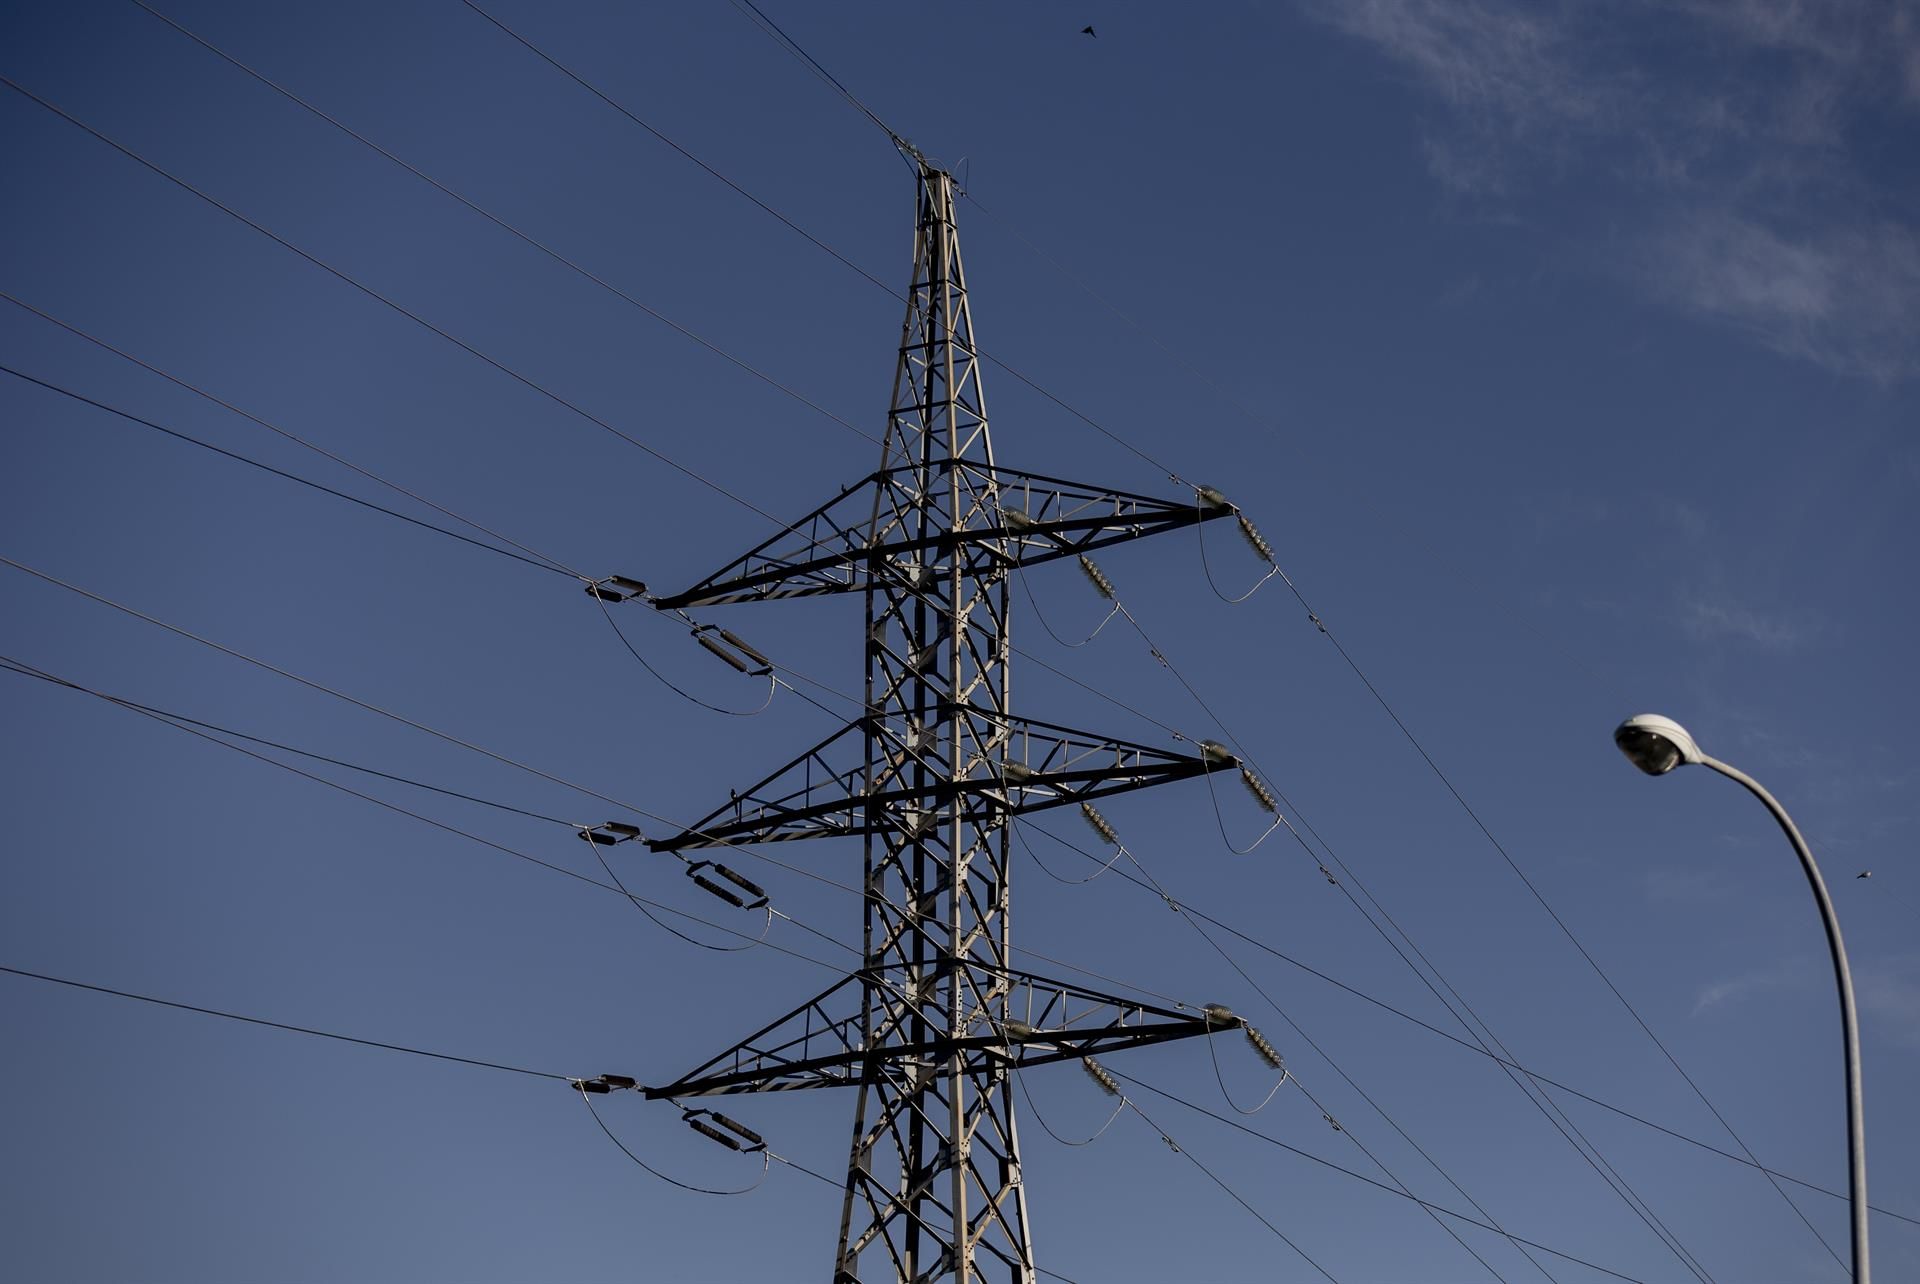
x,y
934,1179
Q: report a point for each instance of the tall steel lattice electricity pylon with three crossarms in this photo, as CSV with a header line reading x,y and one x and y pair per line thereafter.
x,y
936,1020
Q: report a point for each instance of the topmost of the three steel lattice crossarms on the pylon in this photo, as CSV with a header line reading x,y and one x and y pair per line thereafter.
x,y
1034,519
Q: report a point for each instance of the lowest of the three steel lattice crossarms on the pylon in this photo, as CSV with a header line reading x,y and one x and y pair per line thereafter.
x,y
819,1045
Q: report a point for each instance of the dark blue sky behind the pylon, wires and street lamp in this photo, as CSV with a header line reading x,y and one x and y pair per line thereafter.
x,y
1568,356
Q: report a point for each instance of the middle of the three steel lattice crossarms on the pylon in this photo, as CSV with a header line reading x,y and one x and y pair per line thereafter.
x,y
1017,767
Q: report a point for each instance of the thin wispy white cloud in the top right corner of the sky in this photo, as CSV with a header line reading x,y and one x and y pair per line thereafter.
x,y
1729,118
